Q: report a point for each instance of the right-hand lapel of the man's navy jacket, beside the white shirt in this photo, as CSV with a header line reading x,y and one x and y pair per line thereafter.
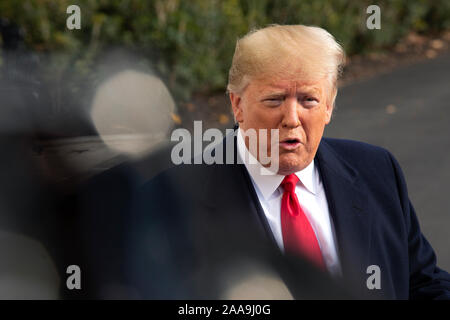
x,y
348,209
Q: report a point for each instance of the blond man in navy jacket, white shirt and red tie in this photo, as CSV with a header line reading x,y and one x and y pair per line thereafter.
x,y
332,213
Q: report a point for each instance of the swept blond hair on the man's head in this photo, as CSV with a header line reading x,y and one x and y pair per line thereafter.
x,y
289,51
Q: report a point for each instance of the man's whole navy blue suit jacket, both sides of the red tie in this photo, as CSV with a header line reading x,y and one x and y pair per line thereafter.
x,y
200,212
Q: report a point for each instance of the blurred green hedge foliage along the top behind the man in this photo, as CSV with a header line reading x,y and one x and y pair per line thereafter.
x,y
191,43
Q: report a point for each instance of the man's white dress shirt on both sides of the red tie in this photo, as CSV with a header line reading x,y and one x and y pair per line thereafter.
x,y
312,198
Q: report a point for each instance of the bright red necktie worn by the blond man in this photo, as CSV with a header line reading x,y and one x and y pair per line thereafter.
x,y
298,234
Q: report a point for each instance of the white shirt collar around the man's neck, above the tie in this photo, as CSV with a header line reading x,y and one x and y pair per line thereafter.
x,y
269,183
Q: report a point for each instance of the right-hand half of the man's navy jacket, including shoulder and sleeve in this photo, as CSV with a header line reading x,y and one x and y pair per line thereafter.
x,y
375,221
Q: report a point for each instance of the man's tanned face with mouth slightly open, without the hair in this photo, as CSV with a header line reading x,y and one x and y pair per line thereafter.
x,y
299,109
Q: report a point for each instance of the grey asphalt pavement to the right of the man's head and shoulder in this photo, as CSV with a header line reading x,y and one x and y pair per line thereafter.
x,y
408,112
